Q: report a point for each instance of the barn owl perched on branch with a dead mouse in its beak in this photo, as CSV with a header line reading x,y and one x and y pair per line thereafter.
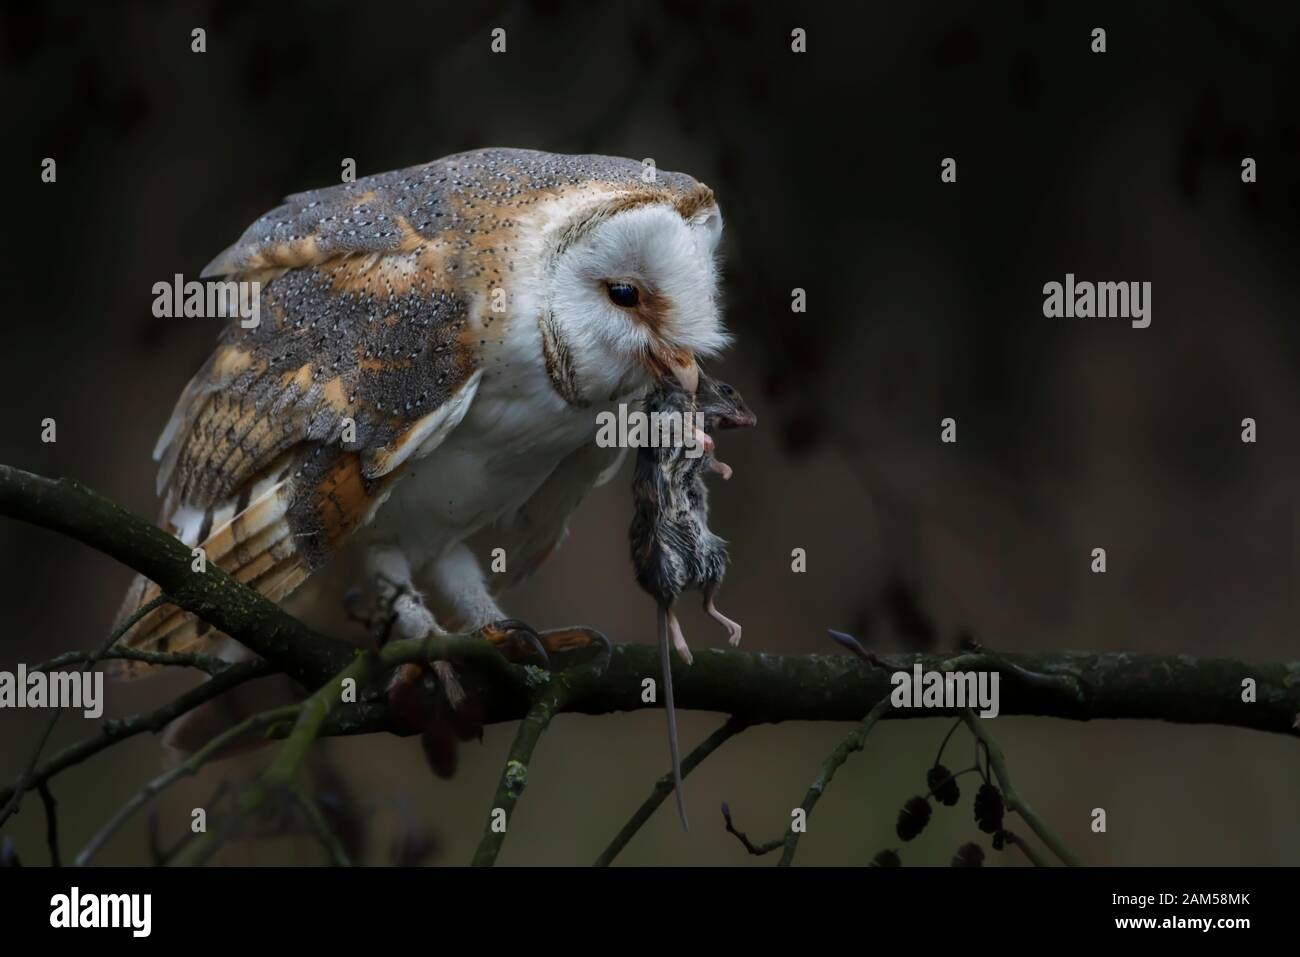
x,y
467,319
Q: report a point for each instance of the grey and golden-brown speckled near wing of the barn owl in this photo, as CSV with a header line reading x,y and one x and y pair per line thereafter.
x,y
293,432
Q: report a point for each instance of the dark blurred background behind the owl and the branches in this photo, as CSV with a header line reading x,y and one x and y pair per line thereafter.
x,y
925,301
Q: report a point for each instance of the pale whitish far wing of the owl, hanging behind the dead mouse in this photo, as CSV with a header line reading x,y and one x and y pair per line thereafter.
x,y
536,530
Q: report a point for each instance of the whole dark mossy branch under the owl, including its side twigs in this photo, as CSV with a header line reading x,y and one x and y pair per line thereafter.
x,y
752,688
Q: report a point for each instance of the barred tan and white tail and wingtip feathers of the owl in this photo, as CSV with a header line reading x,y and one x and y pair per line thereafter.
x,y
255,545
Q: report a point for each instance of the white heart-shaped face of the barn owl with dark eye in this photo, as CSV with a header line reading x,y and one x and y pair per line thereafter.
x,y
635,297
